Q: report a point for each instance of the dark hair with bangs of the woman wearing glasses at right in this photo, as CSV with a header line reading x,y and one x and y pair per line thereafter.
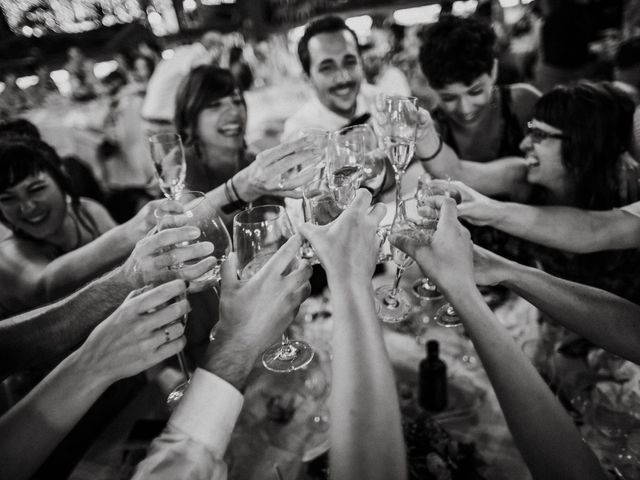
x,y
597,118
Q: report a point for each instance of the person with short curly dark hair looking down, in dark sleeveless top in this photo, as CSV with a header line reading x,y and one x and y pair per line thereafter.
x,y
478,127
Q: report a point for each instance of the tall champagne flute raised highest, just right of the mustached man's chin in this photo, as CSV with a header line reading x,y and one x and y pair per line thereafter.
x,y
397,120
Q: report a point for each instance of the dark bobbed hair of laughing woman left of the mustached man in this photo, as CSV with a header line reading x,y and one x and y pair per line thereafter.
x,y
203,85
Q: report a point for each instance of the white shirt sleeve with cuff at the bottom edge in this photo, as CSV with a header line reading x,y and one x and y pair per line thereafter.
x,y
192,445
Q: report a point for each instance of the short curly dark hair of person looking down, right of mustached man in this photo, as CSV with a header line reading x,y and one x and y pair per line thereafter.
x,y
457,50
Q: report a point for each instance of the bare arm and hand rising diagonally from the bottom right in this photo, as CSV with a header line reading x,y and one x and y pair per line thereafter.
x,y
540,426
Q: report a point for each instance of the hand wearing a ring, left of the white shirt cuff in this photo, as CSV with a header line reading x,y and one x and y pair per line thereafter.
x,y
143,331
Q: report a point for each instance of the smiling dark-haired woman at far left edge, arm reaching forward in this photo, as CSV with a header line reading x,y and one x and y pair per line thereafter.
x,y
58,240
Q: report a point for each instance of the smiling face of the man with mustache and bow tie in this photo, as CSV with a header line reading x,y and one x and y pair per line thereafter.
x,y
335,71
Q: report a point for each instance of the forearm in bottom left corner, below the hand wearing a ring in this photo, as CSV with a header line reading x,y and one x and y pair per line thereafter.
x,y
35,426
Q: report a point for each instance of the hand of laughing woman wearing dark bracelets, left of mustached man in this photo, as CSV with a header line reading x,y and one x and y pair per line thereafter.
x,y
268,173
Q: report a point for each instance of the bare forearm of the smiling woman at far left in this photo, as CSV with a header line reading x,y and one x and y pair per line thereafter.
x,y
72,270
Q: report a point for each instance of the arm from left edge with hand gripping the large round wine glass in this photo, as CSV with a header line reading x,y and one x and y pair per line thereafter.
x,y
45,335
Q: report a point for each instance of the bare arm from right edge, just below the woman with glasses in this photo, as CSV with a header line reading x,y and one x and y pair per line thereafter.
x,y
564,228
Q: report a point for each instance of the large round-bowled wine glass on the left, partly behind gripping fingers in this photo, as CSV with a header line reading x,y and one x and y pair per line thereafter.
x,y
201,214
